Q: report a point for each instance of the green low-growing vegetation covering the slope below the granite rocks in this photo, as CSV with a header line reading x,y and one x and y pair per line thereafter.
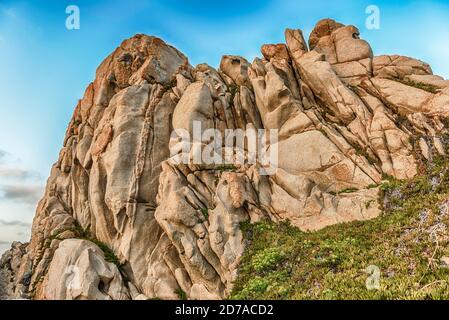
x,y
406,243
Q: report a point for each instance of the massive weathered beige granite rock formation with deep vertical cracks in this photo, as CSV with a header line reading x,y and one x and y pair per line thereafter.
x,y
345,119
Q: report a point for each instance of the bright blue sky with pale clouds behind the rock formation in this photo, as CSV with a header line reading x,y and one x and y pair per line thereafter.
x,y
44,68
